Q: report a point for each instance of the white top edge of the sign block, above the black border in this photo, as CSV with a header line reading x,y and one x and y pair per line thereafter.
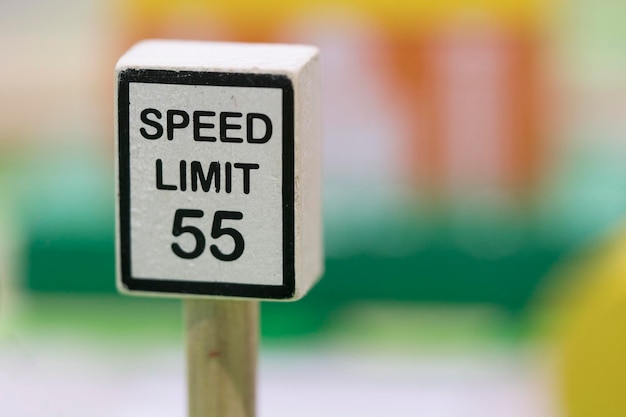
x,y
217,56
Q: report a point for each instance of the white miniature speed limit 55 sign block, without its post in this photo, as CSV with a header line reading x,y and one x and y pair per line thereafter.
x,y
219,169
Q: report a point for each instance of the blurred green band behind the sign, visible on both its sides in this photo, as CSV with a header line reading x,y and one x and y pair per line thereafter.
x,y
379,249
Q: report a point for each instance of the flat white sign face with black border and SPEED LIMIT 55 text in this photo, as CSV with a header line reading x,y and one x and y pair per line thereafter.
x,y
206,182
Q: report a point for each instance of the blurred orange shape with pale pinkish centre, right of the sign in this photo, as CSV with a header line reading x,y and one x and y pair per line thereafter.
x,y
472,96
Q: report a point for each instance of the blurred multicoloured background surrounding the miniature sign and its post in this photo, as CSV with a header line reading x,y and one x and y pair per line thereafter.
x,y
474,192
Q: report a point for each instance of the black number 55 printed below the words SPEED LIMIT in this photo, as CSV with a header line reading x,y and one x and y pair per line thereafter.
x,y
216,231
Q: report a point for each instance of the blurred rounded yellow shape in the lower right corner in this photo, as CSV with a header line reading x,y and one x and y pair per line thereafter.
x,y
593,339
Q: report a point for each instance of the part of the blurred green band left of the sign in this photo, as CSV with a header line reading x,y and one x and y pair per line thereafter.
x,y
64,202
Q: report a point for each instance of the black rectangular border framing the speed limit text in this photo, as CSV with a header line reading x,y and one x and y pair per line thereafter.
x,y
130,283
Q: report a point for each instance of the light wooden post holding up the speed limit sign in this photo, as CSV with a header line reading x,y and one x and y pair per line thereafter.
x,y
222,339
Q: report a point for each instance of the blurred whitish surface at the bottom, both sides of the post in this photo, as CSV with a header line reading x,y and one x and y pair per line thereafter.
x,y
63,379
